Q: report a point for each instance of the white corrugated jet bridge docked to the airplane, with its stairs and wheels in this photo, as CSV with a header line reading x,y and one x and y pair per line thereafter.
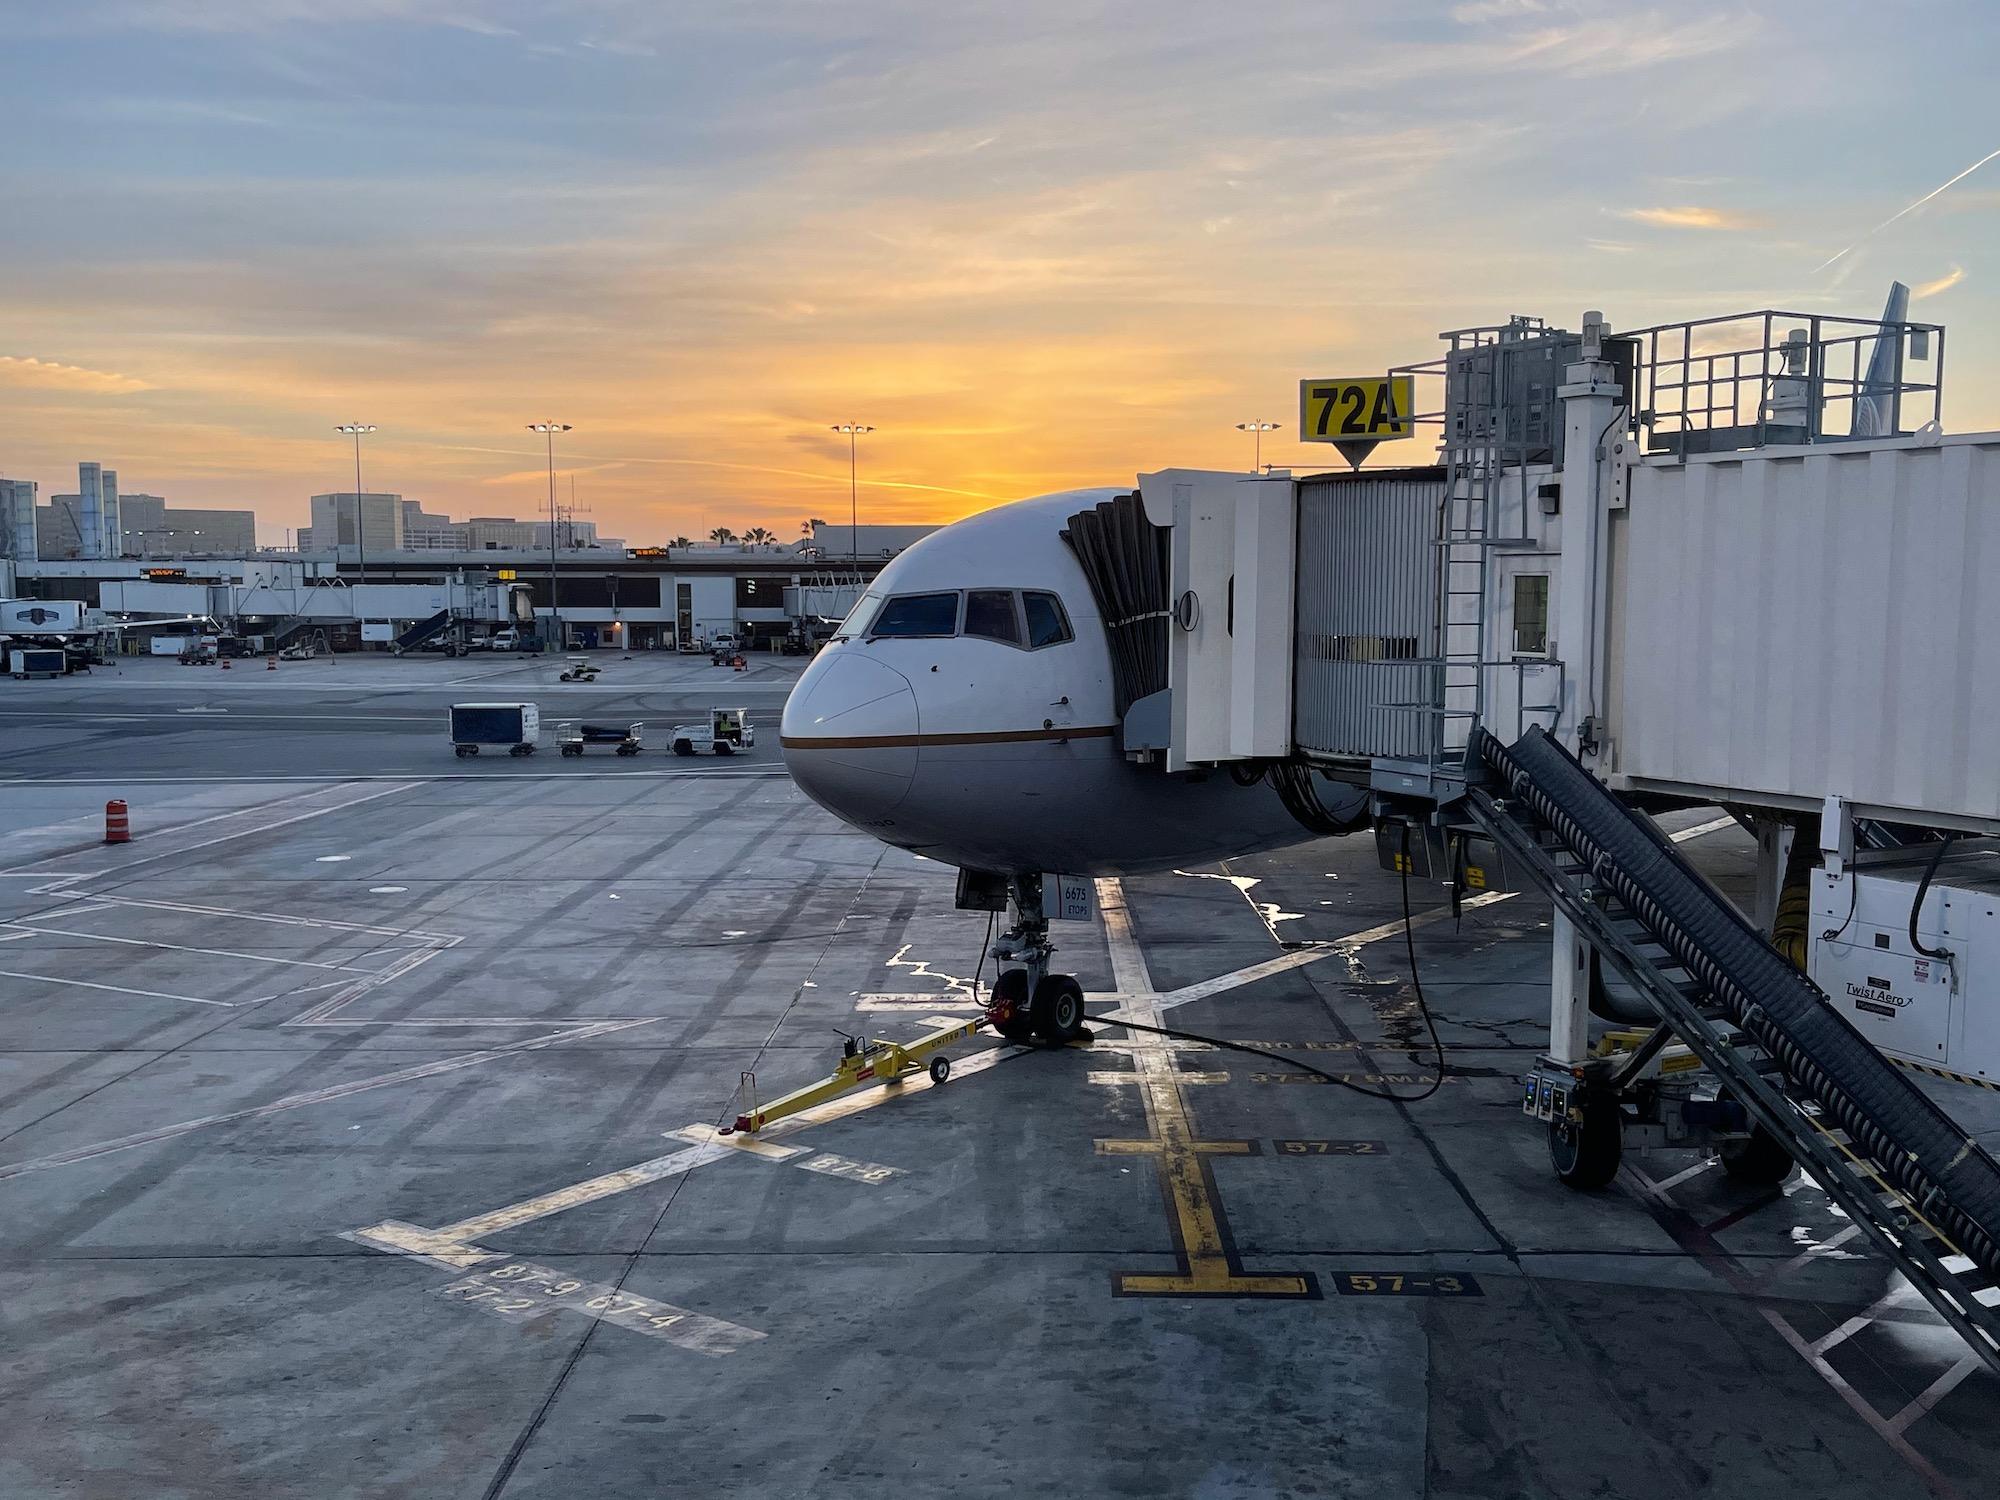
x,y
1733,563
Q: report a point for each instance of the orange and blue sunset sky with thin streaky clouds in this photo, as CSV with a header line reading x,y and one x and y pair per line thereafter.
x,y
1035,245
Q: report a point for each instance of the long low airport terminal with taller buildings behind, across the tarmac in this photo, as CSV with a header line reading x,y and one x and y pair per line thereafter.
x,y
377,571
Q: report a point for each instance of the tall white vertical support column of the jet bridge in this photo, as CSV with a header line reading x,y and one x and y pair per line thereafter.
x,y
1591,407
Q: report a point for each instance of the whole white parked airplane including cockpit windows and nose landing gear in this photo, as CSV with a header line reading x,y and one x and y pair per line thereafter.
x,y
969,711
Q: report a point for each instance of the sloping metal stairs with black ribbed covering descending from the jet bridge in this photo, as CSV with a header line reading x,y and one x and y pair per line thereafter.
x,y
1909,1177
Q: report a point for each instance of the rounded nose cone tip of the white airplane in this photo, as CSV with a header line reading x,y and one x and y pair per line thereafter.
x,y
849,735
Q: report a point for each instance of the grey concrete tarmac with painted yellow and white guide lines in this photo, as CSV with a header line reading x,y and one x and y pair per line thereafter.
x,y
357,1141
